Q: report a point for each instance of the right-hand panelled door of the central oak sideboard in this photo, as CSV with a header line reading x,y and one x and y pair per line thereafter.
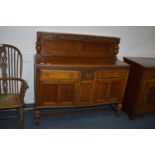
x,y
108,90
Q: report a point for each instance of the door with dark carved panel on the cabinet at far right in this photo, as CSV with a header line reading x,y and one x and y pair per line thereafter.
x,y
148,95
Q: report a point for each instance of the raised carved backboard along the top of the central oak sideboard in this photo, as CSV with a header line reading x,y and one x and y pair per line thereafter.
x,y
75,45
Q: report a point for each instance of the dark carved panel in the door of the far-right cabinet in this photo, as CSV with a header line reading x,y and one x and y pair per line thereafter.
x,y
150,99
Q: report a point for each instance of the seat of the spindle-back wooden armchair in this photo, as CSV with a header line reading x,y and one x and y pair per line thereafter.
x,y
10,101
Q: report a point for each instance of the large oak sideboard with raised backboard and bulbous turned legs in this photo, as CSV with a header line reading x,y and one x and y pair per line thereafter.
x,y
74,70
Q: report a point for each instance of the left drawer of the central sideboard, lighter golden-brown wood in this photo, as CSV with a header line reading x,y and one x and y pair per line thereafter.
x,y
58,75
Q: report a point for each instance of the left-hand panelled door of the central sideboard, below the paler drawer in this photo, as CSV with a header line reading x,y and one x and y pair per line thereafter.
x,y
58,93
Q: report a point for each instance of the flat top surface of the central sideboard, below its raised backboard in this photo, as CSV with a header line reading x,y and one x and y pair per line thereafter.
x,y
43,60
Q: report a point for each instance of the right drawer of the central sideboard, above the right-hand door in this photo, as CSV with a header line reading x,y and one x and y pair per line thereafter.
x,y
110,74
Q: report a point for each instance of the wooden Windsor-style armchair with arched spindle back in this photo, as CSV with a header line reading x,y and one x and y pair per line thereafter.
x,y
12,86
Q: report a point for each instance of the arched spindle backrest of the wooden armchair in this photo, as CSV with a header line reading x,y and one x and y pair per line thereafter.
x,y
11,64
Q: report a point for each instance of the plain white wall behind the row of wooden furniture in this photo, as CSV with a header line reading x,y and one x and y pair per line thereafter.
x,y
135,41
